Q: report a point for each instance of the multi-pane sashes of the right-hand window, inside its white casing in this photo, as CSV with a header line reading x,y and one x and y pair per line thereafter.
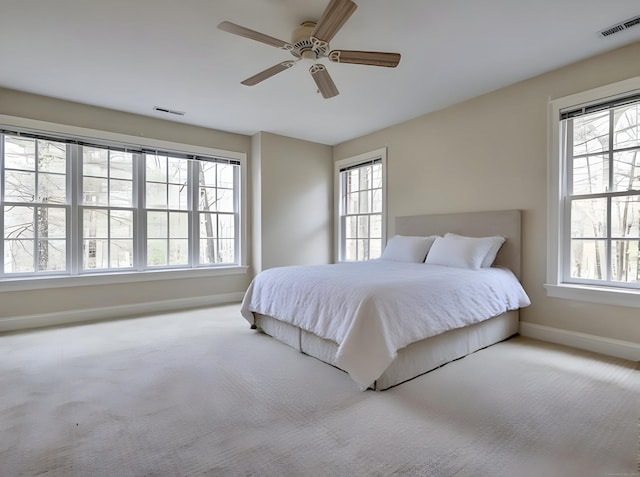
x,y
603,193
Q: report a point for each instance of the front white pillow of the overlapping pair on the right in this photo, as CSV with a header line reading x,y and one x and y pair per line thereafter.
x,y
457,252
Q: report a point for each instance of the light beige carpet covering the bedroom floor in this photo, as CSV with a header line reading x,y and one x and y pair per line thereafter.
x,y
199,393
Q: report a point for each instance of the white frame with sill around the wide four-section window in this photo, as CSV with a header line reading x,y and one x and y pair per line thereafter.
x,y
97,137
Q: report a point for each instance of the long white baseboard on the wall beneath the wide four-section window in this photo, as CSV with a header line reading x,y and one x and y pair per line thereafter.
x,y
117,311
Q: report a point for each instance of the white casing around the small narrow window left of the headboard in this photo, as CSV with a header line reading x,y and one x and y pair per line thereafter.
x,y
354,161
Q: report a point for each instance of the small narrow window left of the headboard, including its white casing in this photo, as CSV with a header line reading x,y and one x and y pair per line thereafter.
x,y
361,206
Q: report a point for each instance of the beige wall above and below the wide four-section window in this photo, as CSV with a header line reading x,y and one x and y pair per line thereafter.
x,y
58,300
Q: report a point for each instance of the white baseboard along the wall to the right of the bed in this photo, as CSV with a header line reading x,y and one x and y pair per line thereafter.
x,y
608,346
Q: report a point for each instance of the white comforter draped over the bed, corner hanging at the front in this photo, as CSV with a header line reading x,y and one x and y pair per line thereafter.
x,y
372,309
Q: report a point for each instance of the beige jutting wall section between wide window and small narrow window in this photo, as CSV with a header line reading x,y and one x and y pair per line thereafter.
x,y
292,186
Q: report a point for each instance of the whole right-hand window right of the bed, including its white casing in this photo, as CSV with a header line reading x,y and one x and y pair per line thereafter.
x,y
594,224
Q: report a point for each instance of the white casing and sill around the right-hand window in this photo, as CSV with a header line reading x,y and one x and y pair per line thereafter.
x,y
556,186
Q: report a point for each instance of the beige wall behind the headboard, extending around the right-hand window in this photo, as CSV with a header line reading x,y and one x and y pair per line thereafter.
x,y
491,153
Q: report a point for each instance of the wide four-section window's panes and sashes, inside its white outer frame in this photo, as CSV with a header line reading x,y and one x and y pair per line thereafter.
x,y
70,207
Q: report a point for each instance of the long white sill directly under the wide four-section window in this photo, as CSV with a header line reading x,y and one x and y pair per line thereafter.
x,y
37,283
